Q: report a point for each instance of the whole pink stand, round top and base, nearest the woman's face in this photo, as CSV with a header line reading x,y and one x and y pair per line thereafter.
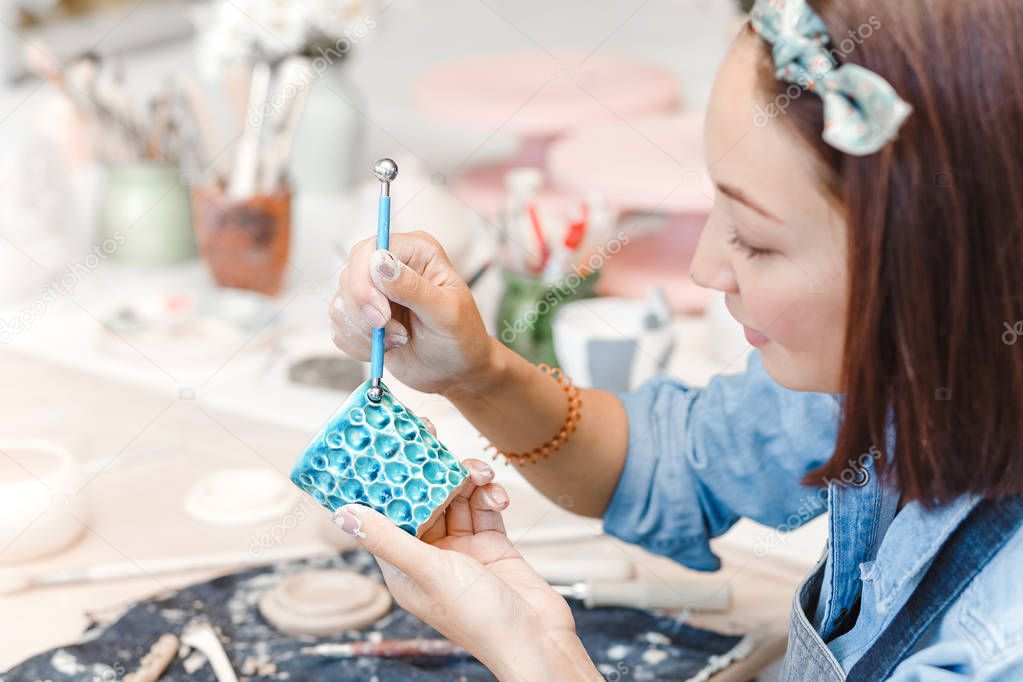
x,y
651,165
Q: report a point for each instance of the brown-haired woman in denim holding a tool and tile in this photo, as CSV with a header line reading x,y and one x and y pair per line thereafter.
x,y
868,234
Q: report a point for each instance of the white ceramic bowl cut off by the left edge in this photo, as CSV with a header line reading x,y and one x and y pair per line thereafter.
x,y
41,510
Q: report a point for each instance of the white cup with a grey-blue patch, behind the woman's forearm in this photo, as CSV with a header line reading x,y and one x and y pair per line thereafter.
x,y
610,344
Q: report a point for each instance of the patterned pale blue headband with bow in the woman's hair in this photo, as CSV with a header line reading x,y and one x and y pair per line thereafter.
x,y
863,112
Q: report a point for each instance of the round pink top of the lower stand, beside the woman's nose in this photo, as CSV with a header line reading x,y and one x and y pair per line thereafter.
x,y
651,164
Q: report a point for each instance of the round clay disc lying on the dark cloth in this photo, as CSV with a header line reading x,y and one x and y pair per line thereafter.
x,y
325,603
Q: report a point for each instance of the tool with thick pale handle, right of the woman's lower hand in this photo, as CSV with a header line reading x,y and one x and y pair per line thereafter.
x,y
669,596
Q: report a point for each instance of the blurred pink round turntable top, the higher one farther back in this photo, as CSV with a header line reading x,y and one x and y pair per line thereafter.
x,y
536,96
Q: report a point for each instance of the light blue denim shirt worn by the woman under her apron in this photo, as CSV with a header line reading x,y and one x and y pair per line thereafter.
x,y
699,460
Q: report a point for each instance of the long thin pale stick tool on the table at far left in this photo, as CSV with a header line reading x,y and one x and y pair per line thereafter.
x,y
15,581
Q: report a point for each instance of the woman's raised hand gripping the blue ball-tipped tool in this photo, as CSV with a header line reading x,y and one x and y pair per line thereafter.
x,y
434,335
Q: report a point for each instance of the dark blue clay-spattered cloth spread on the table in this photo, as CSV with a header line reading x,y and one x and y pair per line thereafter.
x,y
627,644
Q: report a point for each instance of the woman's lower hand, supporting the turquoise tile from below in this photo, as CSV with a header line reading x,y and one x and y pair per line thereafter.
x,y
466,579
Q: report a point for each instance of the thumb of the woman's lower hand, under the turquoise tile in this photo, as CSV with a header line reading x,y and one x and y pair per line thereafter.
x,y
381,537
